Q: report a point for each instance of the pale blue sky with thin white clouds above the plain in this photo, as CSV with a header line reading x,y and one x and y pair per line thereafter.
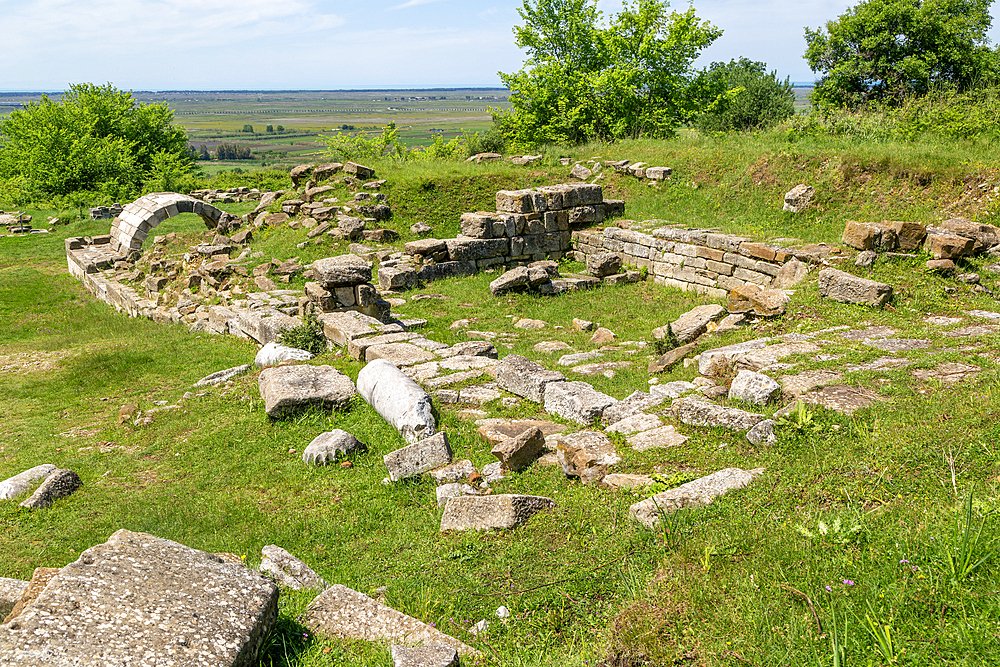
x,y
330,44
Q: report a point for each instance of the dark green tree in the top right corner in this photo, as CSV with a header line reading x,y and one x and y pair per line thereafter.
x,y
889,50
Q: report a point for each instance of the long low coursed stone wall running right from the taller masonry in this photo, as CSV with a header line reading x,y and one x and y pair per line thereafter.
x,y
696,260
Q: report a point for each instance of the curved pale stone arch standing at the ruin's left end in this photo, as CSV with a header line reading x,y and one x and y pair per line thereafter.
x,y
137,220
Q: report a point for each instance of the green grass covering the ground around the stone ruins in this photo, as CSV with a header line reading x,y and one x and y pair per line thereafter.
x,y
749,580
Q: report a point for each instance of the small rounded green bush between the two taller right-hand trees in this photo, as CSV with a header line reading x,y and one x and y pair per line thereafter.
x,y
750,97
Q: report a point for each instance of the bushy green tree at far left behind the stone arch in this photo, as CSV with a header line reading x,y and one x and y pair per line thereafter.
x,y
94,139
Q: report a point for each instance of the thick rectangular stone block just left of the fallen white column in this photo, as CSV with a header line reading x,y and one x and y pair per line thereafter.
x,y
287,390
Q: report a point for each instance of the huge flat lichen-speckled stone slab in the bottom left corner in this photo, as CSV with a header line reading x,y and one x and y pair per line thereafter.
x,y
137,597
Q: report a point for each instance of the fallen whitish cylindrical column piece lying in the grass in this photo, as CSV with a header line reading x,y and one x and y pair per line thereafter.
x,y
399,400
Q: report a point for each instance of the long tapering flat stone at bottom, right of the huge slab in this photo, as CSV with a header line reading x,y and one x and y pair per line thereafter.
x,y
341,612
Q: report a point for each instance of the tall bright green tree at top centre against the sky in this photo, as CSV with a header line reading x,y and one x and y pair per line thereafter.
x,y
584,79
